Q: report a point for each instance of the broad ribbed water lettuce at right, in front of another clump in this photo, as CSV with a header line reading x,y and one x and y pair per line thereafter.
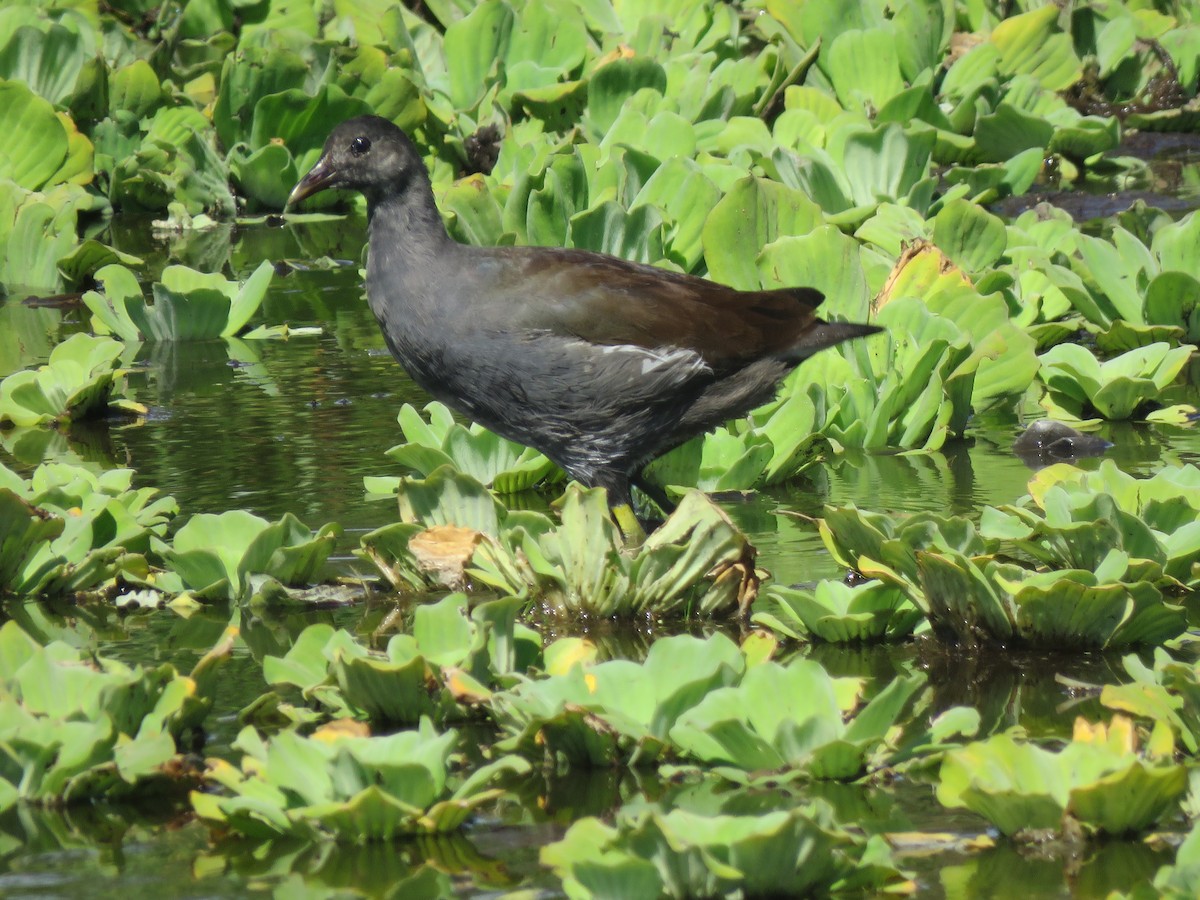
x,y
955,574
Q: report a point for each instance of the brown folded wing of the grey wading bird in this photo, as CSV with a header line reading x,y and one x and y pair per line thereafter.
x,y
610,302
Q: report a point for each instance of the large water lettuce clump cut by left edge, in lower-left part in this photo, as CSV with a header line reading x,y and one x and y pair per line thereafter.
x,y
76,728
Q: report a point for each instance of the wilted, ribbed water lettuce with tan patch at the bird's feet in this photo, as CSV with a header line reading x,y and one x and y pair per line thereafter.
x,y
695,563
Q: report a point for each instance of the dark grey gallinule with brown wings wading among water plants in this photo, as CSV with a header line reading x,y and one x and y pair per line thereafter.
x,y
599,363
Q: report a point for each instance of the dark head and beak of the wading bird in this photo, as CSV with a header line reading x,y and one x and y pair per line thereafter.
x,y
367,154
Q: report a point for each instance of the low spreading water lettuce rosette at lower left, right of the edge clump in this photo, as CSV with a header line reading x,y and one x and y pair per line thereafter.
x,y
346,784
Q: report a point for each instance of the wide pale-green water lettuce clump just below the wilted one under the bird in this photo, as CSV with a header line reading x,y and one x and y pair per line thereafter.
x,y
704,701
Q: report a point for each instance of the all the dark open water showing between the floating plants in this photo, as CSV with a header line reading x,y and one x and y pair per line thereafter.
x,y
293,427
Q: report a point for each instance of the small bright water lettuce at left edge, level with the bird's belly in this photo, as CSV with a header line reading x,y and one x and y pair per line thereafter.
x,y
80,381
